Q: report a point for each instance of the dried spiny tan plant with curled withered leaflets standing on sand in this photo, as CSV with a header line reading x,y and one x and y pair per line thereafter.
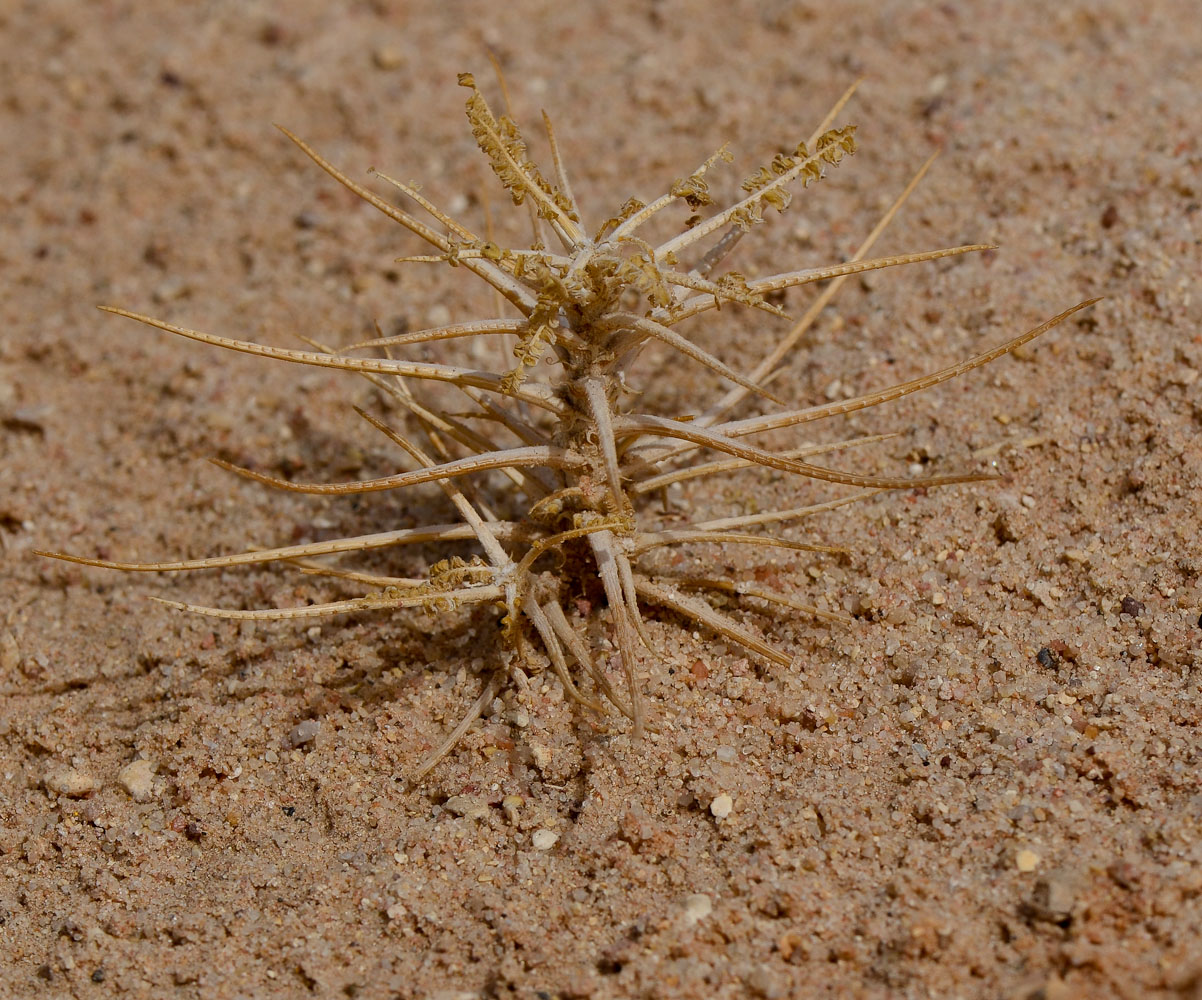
x,y
581,460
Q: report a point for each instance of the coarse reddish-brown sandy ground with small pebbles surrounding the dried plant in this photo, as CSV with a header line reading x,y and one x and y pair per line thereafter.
x,y
986,787
